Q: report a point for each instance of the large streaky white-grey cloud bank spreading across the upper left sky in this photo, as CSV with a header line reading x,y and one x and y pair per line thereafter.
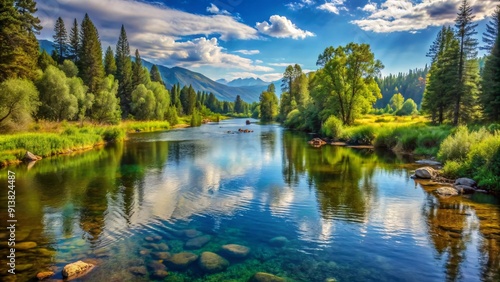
x,y
158,31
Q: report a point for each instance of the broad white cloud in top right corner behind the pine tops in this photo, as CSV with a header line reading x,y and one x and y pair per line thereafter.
x,y
406,15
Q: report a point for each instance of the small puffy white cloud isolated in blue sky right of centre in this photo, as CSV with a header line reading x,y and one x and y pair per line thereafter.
x,y
281,27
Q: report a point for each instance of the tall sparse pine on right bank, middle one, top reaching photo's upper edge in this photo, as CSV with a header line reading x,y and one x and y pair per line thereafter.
x,y
467,51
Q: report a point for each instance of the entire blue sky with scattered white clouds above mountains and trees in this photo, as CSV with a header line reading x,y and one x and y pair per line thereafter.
x,y
258,38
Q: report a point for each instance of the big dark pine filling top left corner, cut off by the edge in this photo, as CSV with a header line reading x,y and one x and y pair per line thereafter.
x,y
19,46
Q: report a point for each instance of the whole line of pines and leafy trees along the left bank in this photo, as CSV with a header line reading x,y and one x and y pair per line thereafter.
x,y
75,82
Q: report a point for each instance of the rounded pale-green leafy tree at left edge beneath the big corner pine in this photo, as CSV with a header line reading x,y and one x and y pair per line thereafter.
x,y
18,101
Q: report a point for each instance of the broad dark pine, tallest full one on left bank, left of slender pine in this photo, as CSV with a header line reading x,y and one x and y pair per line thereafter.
x,y
90,62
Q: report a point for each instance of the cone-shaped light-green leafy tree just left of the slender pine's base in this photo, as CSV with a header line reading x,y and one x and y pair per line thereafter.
x,y
106,106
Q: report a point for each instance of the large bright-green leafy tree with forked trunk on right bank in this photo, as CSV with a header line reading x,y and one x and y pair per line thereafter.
x,y
345,86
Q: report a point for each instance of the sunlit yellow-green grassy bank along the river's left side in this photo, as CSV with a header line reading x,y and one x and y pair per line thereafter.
x,y
47,139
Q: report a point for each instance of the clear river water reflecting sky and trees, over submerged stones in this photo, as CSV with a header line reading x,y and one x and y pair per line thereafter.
x,y
352,215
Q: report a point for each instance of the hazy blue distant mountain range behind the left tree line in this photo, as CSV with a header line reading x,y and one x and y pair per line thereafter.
x,y
249,89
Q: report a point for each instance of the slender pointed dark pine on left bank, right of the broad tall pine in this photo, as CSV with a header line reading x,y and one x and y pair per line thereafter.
x,y
124,72
